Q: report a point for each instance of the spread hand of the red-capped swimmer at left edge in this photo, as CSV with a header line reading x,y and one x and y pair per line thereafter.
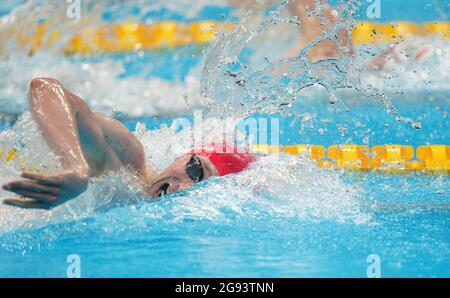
x,y
46,192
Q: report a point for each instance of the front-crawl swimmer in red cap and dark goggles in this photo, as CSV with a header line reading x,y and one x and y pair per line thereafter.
x,y
91,144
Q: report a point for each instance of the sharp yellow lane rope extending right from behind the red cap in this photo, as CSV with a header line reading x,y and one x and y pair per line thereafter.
x,y
386,158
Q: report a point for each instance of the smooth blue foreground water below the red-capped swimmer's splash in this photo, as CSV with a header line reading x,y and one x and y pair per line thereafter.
x,y
411,236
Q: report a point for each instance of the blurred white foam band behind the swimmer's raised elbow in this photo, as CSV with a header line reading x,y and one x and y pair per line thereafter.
x,y
100,84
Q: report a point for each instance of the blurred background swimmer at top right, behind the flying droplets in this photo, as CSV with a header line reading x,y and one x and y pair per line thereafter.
x,y
317,17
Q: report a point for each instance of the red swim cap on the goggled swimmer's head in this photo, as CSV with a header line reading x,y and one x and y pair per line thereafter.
x,y
227,159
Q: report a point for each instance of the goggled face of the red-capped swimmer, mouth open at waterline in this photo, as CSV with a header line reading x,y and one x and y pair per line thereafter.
x,y
182,174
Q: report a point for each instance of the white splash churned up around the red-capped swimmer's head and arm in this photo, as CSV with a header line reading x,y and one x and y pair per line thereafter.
x,y
280,185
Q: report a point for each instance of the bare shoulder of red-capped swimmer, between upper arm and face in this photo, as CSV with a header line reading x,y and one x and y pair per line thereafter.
x,y
122,141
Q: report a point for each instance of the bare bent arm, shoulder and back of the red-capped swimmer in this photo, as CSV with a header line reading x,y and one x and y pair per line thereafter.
x,y
88,144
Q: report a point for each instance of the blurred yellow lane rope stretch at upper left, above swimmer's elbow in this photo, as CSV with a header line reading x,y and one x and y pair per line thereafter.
x,y
124,37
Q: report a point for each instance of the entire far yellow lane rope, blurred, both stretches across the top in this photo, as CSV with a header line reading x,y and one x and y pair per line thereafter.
x,y
131,36
